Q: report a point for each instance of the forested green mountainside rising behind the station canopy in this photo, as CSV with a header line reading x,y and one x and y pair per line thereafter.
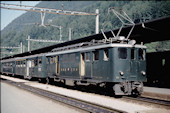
x,y
139,11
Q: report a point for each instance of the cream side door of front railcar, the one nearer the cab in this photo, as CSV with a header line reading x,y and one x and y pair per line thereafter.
x,y
82,65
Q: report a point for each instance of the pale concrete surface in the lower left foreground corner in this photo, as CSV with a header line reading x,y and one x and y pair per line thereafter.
x,y
15,100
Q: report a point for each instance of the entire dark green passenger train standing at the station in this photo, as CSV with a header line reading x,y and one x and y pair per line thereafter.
x,y
119,65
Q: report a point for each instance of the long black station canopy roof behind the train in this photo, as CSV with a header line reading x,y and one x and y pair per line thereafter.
x,y
150,31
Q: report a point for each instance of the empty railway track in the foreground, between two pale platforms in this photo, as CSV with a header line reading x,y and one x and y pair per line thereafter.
x,y
78,104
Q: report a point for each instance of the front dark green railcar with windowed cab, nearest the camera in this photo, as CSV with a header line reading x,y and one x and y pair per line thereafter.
x,y
122,66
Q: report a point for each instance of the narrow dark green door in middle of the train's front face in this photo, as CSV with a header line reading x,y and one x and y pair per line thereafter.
x,y
133,64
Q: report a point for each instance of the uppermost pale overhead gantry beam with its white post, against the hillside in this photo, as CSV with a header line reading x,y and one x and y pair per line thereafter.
x,y
43,11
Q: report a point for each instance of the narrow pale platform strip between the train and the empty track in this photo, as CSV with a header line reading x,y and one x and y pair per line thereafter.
x,y
102,100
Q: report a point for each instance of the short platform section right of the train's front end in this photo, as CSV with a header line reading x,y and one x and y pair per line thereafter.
x,y
157,93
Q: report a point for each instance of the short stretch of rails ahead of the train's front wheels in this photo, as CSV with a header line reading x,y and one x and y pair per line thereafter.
x,y
149,101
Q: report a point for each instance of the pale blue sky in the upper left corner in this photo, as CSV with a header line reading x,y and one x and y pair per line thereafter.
x,y
7,16
